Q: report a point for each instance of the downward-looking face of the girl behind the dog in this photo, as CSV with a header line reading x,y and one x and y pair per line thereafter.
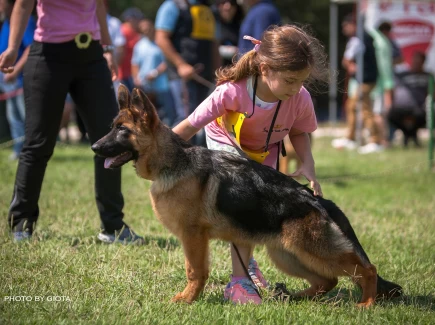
x,y
284,85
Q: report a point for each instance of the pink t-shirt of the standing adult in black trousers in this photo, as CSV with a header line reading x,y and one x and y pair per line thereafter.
x,y
61,20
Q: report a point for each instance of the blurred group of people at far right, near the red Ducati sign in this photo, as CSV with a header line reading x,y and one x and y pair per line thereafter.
x,y
390,93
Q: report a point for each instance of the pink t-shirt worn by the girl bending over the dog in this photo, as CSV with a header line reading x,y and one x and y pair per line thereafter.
x,y
295,112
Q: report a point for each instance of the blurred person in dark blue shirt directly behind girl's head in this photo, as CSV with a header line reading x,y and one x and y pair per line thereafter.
x,y
260,15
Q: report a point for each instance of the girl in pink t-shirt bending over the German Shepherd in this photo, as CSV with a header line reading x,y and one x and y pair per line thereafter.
x,y
258,101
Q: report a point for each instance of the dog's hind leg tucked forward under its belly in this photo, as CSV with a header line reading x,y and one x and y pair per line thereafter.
x,y
290,264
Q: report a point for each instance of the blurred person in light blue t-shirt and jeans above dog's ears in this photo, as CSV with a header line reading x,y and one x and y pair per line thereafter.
x,y
149,72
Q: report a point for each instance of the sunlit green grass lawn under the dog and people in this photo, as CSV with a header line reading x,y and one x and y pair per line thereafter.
x,y
389,198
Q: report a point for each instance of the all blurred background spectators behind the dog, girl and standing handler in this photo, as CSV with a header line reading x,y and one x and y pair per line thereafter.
x,y
172,58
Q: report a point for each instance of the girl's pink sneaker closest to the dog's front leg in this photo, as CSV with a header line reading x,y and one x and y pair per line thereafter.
x,y
242,291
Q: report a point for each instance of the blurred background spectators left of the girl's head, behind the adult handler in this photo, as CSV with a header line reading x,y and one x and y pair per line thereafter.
x,y
172,57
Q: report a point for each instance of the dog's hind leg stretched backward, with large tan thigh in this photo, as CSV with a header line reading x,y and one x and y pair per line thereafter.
x,y
320,246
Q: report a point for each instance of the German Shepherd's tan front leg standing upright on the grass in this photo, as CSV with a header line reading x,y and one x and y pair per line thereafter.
x,y
195,245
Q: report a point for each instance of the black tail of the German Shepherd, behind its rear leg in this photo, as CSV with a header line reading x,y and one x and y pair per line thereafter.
x,y
385,289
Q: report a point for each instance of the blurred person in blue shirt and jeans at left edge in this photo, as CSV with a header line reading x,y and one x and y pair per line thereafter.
x,y
12,83
